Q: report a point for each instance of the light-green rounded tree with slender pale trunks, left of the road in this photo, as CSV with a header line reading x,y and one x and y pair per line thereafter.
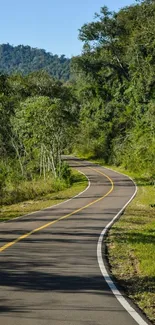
x,y
41,132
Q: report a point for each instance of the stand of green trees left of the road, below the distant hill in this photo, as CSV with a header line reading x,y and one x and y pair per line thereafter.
x,y
38,115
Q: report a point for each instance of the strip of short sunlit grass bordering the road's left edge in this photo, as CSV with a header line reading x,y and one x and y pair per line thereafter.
x,y
79,183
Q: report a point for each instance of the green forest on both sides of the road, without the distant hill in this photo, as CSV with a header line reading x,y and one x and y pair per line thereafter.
x,y
106,111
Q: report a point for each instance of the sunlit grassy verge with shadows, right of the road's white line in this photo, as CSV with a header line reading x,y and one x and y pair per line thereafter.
x,y
131,245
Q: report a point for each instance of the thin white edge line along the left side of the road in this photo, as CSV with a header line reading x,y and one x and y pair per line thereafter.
x,y
52,206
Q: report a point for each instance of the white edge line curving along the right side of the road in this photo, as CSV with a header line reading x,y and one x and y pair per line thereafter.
x,y
134,314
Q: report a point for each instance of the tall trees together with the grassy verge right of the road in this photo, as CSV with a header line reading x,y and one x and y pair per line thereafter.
x,y
116,89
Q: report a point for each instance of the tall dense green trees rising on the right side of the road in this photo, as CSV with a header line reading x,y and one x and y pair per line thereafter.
x,y
116,87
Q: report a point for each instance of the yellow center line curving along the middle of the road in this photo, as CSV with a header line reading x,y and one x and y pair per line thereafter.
x,y
61,218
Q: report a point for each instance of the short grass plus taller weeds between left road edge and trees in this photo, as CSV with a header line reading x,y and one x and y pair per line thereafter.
x,y
38,195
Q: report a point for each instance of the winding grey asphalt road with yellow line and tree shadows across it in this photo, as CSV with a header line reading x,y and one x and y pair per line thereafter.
x,y
49,271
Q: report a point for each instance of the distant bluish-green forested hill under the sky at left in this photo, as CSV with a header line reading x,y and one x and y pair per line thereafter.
x,y
25,59
